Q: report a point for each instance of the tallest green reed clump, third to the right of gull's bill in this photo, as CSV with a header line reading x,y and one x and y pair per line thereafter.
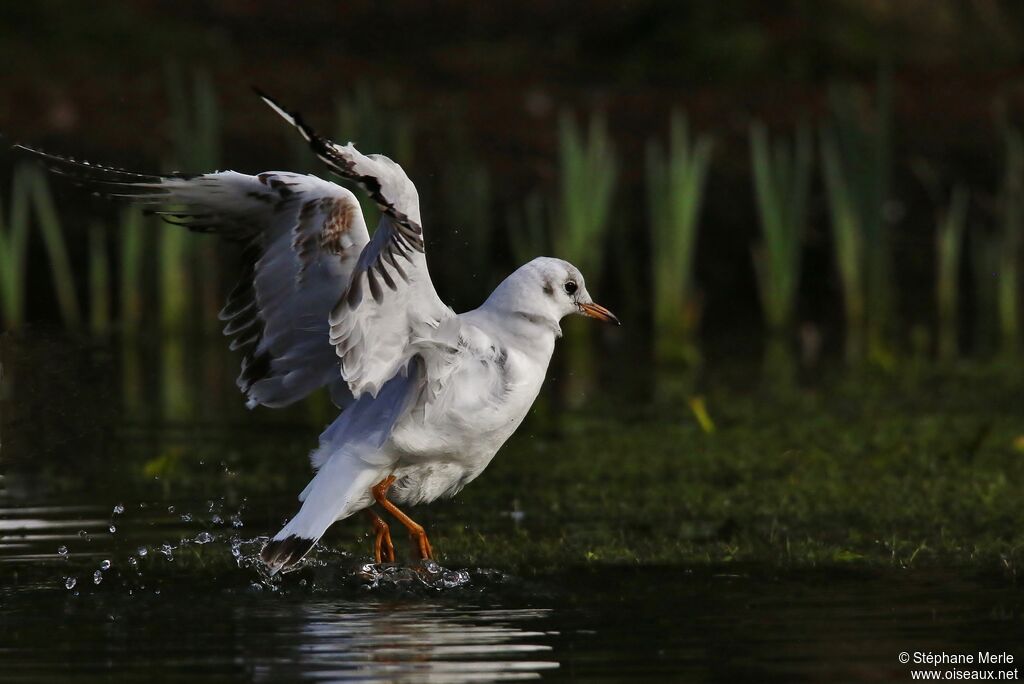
x,y
857,161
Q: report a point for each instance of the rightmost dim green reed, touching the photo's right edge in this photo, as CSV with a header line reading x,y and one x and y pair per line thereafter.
x,y
1011,239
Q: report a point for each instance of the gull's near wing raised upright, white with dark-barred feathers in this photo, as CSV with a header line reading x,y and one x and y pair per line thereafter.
x,y
391,306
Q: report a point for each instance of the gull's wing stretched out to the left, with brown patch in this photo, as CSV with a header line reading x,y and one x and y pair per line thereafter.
x,y
303,239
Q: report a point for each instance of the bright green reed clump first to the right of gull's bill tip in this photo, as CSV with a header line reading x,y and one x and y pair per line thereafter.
x,y
676,183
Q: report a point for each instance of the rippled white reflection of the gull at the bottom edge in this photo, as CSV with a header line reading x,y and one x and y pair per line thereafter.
x,y
421,643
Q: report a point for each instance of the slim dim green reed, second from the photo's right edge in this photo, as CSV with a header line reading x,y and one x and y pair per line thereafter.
x,y
949,249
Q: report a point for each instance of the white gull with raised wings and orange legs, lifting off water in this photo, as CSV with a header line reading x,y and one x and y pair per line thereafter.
x,y
429,397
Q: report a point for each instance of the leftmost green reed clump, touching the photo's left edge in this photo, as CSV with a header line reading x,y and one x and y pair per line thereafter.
x,y
14,251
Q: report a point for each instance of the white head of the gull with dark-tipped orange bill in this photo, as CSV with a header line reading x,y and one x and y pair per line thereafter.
x,y
548,289
